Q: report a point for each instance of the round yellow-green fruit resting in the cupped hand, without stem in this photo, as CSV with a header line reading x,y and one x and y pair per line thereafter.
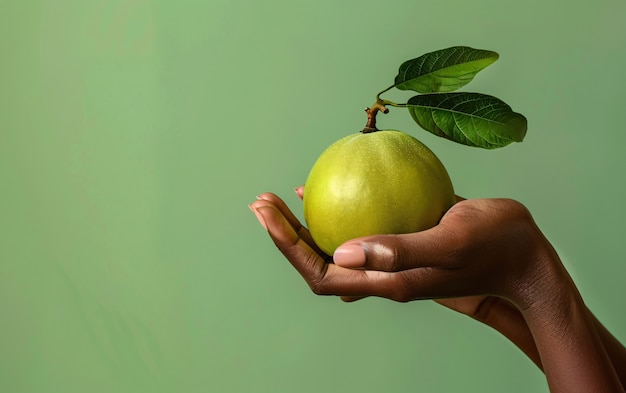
x,y
382,182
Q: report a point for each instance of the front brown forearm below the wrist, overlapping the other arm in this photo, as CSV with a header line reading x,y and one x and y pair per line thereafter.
x,y
566,334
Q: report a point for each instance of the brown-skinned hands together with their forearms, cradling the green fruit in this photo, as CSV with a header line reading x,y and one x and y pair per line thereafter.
x,y
486,258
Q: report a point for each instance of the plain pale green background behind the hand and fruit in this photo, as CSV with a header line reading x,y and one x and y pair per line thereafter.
x,y
134,133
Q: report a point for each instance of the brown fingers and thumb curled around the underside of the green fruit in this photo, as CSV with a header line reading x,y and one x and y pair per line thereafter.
x,y
398,267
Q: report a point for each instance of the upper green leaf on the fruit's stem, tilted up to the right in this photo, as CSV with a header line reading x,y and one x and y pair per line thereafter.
x,y
443,70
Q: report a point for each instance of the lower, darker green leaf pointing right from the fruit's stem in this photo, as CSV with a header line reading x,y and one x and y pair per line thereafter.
x,y
471,119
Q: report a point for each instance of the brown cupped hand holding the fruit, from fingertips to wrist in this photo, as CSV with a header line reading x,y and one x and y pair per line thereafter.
x,y
480,248
